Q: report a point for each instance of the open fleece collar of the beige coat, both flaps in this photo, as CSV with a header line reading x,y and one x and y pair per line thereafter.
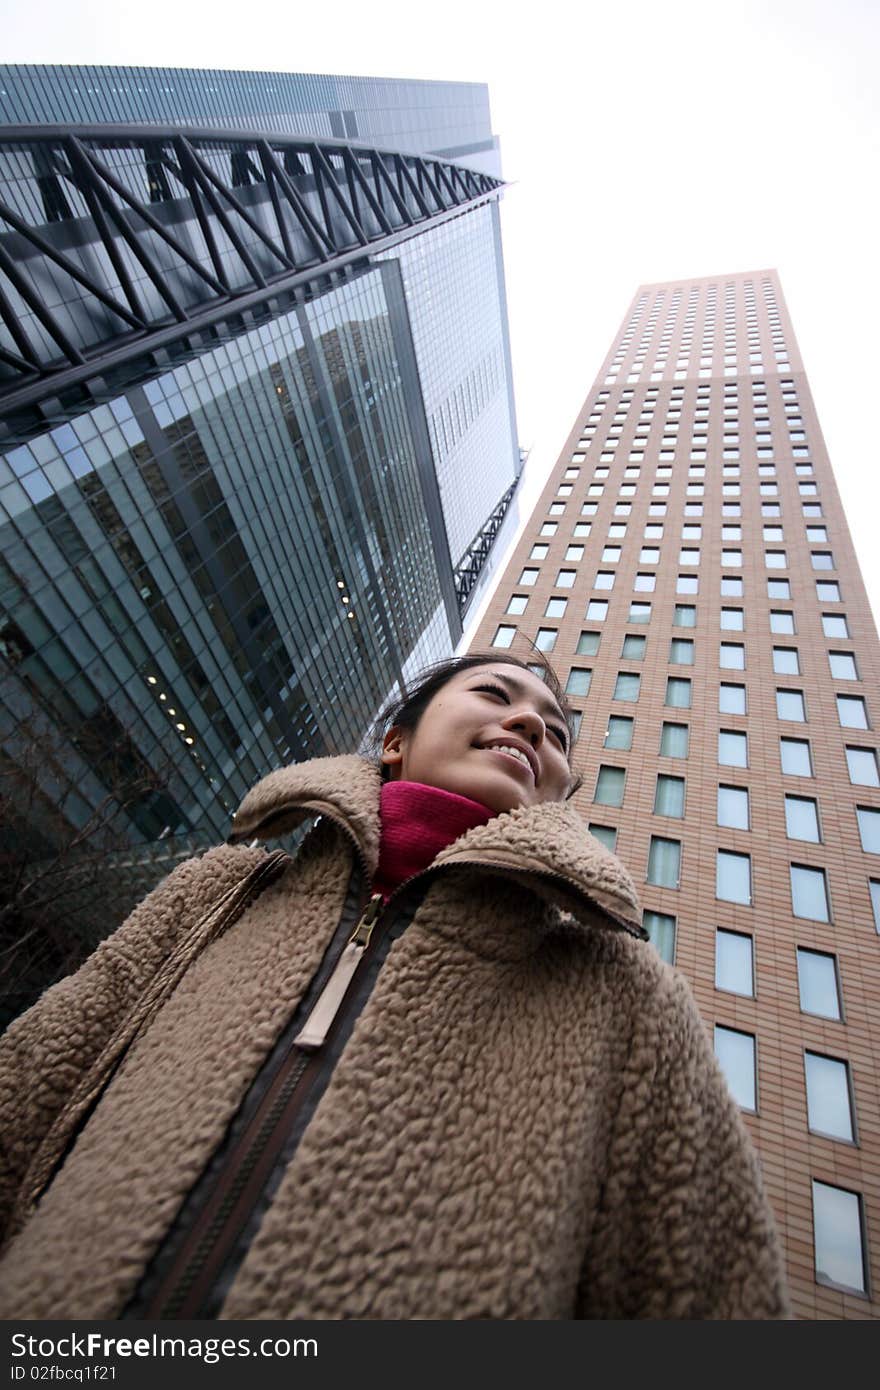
x,y
546,847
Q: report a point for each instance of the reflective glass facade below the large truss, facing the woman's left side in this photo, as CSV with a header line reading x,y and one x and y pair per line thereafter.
x,y
226,569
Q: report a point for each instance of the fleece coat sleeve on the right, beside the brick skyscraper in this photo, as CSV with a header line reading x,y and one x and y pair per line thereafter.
x,y
685,1229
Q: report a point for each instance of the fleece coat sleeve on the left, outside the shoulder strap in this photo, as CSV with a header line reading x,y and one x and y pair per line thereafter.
x,y
47,1052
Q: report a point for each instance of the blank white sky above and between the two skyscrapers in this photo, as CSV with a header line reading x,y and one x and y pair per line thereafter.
x,y
654,142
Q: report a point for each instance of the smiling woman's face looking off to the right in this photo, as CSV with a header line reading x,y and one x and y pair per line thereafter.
x,y
493,733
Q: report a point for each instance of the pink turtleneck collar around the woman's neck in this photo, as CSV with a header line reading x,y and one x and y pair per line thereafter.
x,y
416,824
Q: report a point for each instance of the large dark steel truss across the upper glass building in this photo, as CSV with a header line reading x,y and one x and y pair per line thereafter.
x,y
122,241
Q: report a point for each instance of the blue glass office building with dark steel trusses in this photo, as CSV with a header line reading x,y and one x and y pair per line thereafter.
x,y
256,405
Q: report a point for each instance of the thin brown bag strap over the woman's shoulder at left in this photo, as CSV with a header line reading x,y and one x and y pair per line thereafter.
x,y
87,1095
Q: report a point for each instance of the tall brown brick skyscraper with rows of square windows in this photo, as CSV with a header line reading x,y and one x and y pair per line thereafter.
x,y
692,573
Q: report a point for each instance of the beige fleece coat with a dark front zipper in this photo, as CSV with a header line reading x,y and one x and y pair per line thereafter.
x,y
528,1121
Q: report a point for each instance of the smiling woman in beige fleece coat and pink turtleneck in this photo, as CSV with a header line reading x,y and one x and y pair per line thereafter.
x,y
426,1070
